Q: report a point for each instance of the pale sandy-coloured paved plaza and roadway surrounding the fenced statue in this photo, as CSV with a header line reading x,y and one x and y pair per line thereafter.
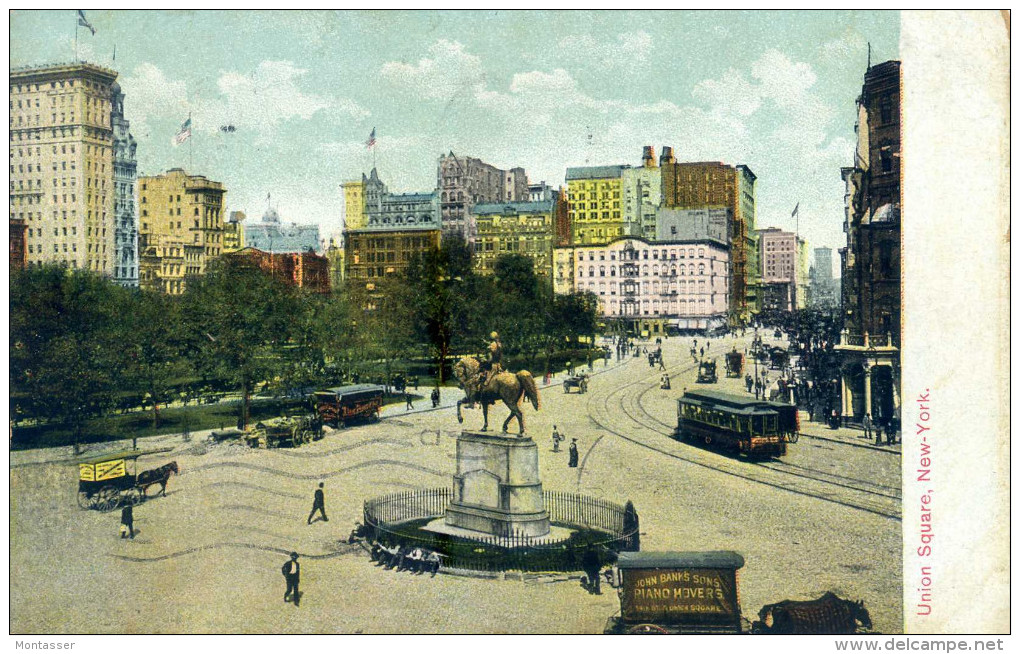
x,y
208,557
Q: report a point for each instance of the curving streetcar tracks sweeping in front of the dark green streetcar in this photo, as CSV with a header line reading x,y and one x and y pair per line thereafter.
x,y
878,509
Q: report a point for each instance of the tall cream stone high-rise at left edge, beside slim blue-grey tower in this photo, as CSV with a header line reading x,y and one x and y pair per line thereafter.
x,y
62,165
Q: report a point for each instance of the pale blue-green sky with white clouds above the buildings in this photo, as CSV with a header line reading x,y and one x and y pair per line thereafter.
x,y
542,90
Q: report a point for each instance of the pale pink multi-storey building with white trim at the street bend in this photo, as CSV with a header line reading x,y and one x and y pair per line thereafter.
x,y
652,286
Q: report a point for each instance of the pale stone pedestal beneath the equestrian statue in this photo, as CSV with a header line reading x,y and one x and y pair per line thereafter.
x,y
497,491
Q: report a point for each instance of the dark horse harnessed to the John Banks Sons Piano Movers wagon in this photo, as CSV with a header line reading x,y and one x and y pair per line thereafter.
x,y
829,615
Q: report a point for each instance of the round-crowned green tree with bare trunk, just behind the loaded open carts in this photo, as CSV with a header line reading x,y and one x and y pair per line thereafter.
x,y
240,322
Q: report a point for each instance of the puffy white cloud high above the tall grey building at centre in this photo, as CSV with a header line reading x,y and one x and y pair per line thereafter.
x,y
447,73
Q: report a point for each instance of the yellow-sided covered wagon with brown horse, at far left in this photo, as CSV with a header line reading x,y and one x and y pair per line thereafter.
x,y
108,481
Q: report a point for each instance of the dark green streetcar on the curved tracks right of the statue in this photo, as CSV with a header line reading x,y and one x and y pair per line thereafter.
x,y
736,424
